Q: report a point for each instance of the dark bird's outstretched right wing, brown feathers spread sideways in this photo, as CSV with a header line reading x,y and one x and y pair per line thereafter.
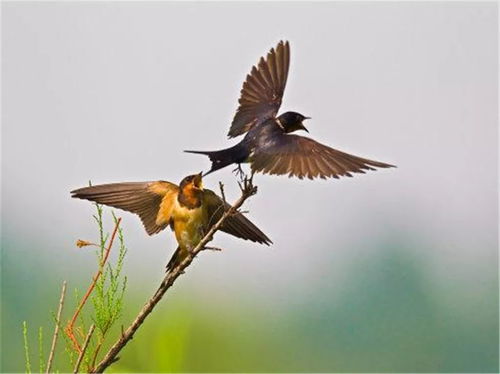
x,y
303,157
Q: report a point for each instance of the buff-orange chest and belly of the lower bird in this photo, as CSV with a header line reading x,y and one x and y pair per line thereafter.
x,y
189,225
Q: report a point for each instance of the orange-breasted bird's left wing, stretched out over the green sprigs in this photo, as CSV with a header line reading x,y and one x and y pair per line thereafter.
x,y
151,201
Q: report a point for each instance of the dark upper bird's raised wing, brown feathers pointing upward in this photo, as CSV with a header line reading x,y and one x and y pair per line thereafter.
x,y
262,91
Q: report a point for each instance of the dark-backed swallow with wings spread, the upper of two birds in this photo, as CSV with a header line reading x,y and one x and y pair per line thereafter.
x,y
268,145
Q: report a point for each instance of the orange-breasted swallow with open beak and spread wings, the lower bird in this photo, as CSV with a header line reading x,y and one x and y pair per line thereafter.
x,y
189,210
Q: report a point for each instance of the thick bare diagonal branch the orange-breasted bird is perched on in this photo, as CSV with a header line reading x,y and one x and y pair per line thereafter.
x,y
111,356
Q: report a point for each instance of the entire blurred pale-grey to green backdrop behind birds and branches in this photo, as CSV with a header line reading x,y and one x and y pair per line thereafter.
x,y
393,271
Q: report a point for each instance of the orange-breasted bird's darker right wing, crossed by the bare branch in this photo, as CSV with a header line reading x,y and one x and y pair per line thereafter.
x,y
237,224
